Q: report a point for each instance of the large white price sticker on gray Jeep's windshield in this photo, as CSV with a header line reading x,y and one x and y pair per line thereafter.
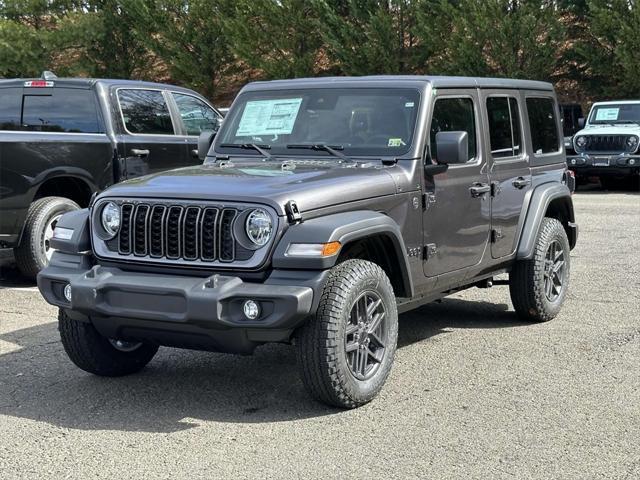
x,y
269,117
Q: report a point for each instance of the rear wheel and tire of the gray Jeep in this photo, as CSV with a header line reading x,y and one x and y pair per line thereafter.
x,y
538,286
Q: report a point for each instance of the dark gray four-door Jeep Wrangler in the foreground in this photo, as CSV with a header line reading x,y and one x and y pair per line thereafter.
x,y
322,210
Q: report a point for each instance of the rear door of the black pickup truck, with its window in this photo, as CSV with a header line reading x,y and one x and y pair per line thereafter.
x,y
150,140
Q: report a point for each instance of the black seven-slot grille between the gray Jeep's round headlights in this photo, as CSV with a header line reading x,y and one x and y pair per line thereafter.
x,y
177,232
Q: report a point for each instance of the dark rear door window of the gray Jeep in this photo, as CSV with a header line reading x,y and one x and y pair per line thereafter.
x,y
504,127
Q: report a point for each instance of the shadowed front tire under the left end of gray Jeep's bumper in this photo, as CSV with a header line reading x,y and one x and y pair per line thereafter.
x,y
95,354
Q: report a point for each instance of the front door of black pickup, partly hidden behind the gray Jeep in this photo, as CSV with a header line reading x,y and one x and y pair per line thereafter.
x,y
195,116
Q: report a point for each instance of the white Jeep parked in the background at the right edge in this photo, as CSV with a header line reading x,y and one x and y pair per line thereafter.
x,y
607,146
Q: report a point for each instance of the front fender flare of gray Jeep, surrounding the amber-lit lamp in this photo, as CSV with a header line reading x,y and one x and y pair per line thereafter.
x,y
345,228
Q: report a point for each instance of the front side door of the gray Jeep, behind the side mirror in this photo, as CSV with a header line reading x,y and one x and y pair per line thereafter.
x,y
456,218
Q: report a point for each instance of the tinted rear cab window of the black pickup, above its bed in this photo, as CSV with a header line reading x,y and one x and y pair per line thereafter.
x,y
61,110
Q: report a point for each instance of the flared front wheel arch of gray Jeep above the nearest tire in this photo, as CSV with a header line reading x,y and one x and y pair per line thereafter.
x,y
366,235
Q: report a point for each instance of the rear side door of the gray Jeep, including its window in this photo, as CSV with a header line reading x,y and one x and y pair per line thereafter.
x,y
510,172
